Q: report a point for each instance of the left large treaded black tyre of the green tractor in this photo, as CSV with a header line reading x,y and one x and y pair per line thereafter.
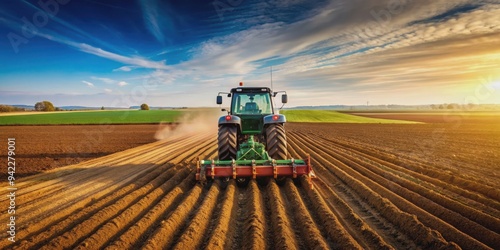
x,y
227,142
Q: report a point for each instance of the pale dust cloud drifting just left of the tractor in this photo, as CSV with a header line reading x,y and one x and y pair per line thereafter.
x,y
191,123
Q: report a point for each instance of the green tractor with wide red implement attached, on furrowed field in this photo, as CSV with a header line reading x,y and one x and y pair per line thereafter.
x,y
252,141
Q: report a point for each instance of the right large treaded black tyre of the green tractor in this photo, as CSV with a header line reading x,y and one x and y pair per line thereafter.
x,y
276,142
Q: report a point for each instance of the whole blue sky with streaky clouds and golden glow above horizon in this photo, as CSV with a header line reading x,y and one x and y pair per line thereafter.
x,y
182,53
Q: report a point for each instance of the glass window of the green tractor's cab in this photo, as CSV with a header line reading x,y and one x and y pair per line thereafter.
x,y
251,103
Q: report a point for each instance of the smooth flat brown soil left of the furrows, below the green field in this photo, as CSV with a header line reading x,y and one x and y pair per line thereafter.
x,y
41,148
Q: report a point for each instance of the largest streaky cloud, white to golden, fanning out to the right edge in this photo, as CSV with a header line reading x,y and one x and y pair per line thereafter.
x,y
348,45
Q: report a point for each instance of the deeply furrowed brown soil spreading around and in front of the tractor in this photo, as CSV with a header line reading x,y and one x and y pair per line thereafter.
x,y
147,197
